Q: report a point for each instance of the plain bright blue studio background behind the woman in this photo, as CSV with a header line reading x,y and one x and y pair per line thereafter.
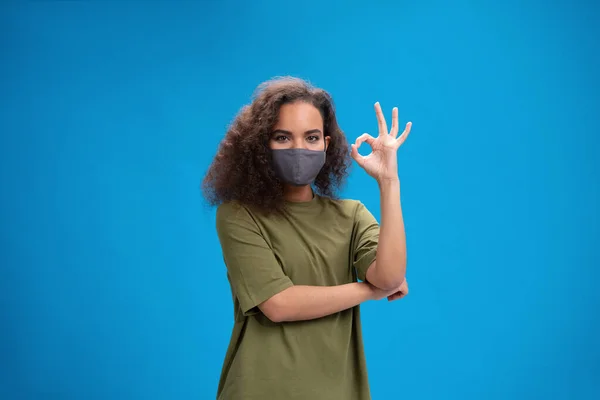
x,y
112,284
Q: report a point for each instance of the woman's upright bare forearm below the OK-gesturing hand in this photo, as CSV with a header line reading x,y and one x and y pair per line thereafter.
x,y
389,270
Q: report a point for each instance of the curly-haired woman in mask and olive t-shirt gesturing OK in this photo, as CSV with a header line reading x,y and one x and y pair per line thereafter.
x,y
300,261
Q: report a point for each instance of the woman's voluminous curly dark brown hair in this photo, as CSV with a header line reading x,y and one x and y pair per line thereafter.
x,y
242,171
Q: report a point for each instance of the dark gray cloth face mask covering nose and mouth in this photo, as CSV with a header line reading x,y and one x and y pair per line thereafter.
x,y
298,167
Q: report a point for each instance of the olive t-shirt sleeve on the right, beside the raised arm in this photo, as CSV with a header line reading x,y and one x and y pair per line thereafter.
x,y
365,240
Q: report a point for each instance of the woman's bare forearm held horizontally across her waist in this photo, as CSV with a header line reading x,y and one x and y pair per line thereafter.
x,y
299,303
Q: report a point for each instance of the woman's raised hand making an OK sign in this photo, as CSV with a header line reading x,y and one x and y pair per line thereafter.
x,y
382,163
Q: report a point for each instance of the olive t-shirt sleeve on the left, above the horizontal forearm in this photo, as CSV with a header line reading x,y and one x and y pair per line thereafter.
x,y
254,272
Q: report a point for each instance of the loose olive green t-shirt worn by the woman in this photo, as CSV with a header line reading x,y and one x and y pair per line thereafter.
x,y
322,242
